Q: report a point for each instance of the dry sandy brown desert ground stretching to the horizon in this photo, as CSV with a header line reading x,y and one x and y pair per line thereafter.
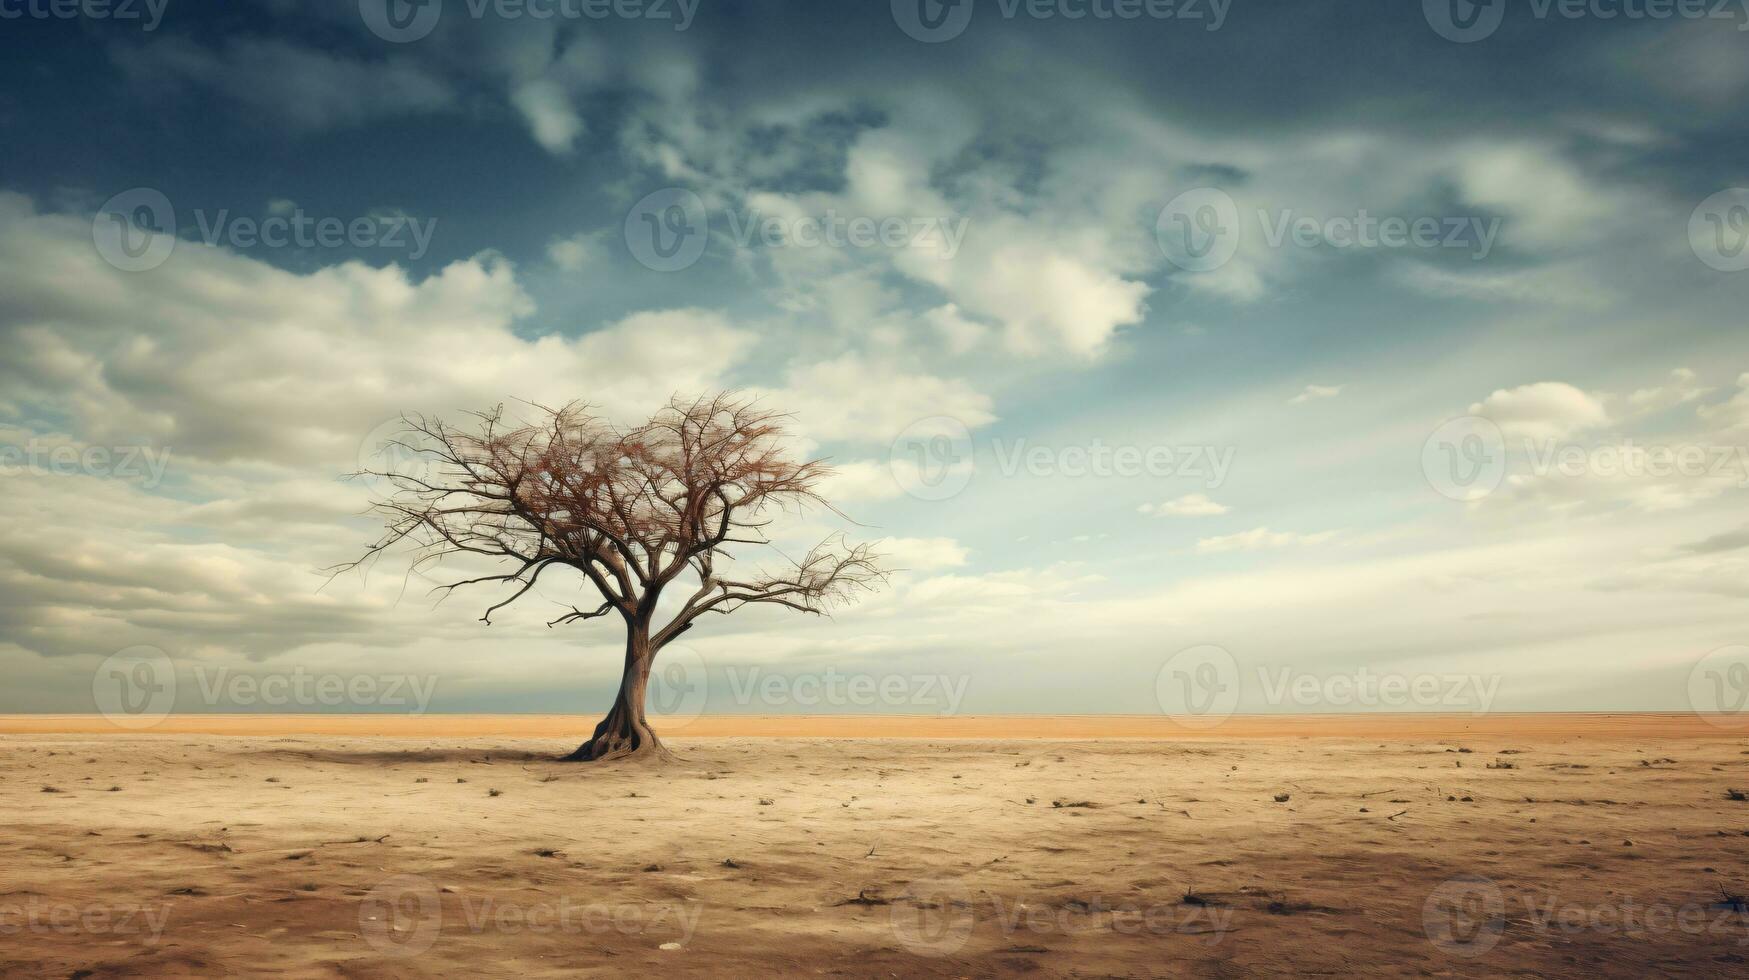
x,y
1540,846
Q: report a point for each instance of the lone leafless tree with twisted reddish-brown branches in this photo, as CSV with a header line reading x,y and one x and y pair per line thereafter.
x,y
636,512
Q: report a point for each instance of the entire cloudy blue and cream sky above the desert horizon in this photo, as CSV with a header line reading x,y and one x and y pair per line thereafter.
x,y
1181,356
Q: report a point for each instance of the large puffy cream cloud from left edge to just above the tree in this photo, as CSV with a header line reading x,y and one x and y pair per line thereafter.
x,y
223,358
